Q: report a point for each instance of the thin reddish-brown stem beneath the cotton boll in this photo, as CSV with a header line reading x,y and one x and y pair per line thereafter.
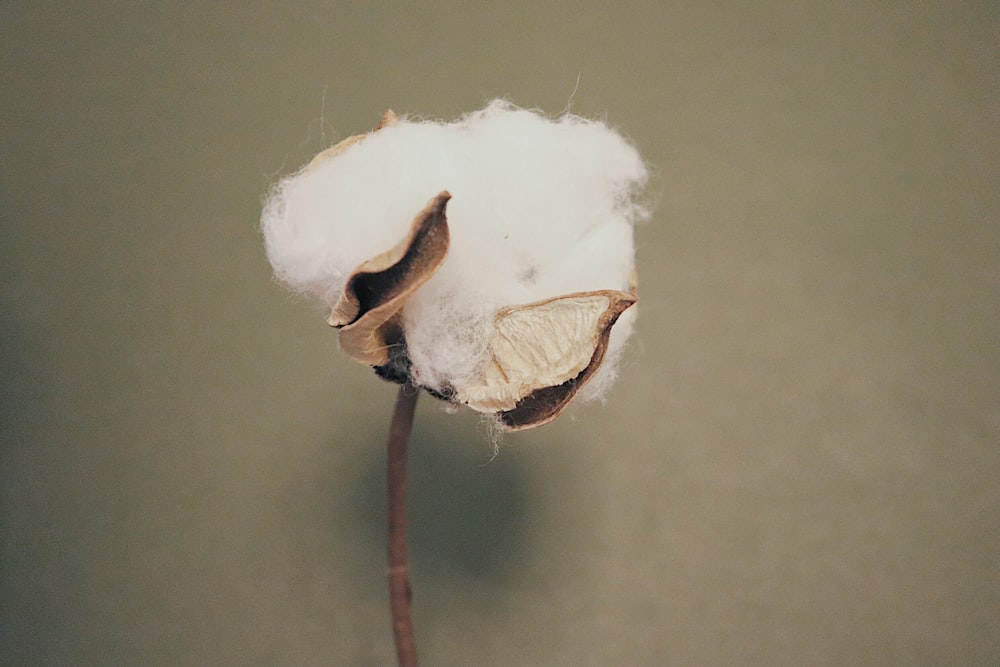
x,y
399,569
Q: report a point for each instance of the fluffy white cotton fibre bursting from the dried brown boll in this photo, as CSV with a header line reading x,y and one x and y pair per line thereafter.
x,y
540,208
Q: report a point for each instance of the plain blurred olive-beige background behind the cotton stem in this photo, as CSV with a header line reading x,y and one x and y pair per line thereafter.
x,y
800,464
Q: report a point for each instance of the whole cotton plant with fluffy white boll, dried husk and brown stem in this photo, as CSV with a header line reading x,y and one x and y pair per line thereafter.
x,y
488,261
